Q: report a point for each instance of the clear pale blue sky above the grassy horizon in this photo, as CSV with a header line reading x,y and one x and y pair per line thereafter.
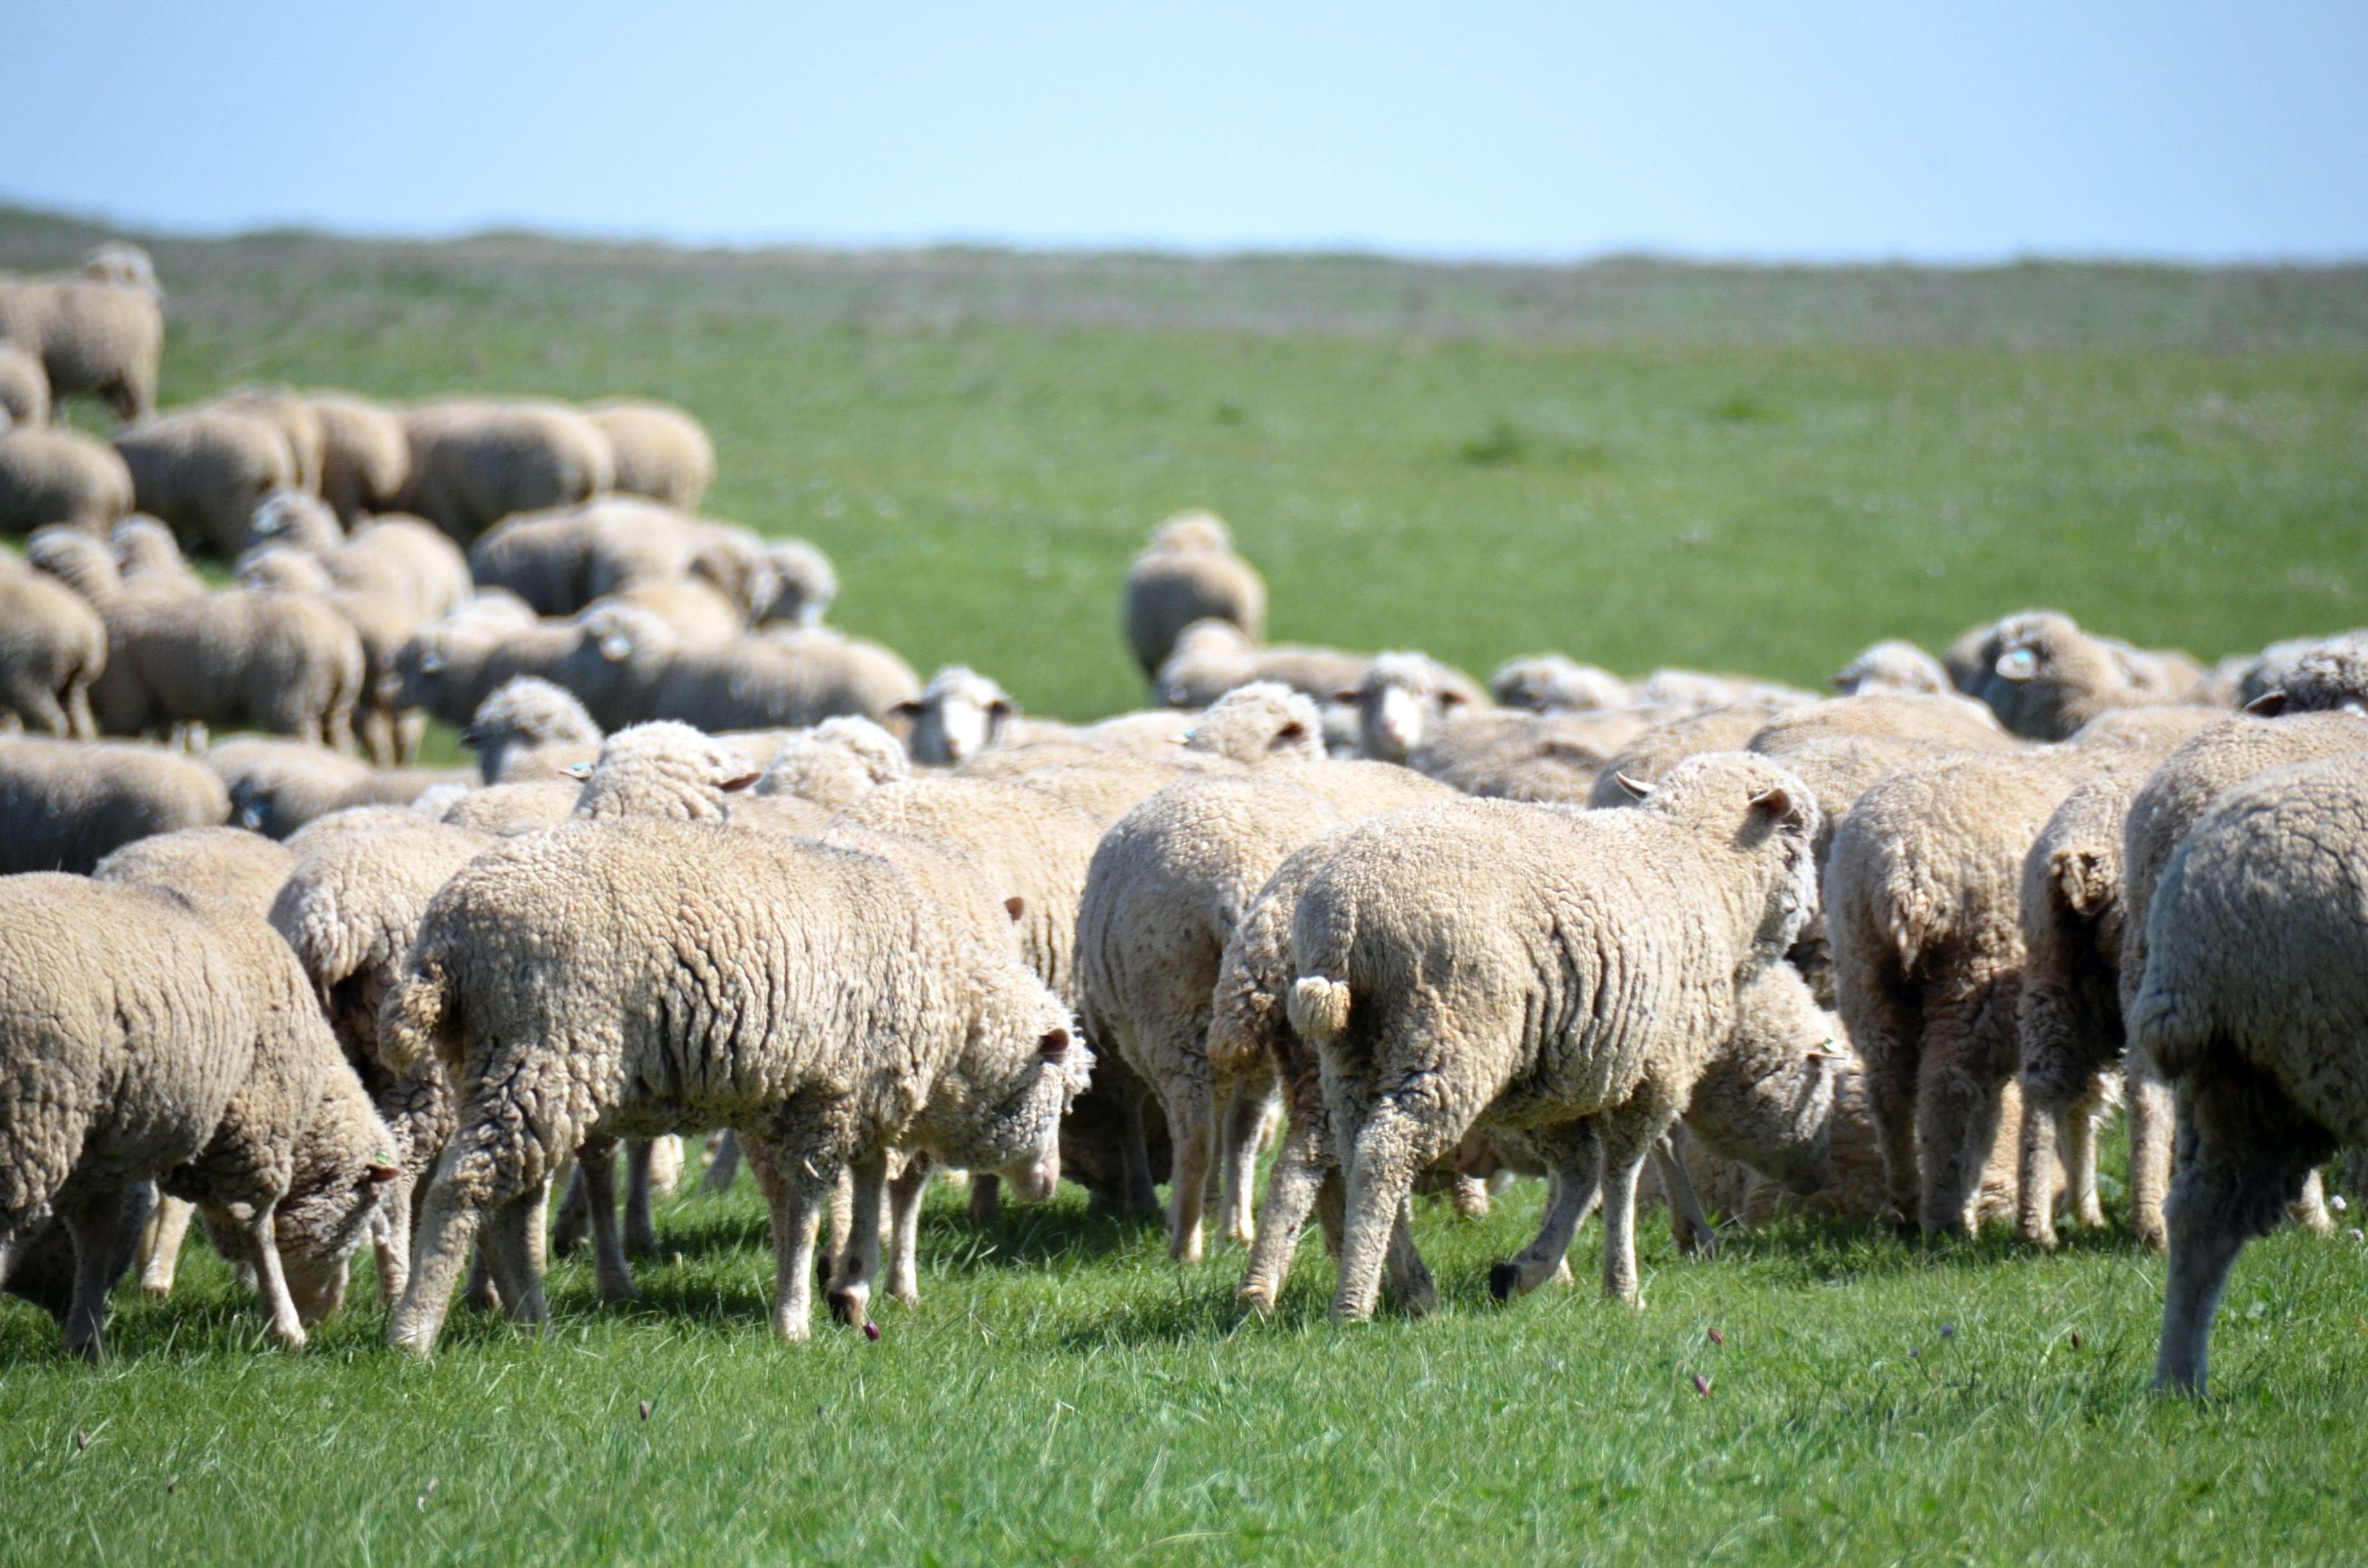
x,y
1794,129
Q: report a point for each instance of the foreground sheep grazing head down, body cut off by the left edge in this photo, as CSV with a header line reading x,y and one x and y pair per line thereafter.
x,y
148,1036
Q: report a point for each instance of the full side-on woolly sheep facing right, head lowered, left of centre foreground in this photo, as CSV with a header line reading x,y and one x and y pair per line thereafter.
x,y
944,1046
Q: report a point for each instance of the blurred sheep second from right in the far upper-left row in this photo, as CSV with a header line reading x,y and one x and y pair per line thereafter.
x,y
480,461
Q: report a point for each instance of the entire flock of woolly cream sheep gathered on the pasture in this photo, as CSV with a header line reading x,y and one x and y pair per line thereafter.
x,y
726,873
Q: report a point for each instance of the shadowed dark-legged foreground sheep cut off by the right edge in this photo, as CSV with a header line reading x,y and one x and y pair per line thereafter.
x,y
2251,1008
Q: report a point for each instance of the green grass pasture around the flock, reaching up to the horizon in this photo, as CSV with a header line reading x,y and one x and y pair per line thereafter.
x,y
1637,463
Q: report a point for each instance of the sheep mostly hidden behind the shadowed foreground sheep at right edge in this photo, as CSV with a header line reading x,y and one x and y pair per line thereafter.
x,y
2161,816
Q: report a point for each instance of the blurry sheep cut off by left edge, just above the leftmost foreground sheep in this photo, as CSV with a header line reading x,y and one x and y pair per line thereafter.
x,y
65,807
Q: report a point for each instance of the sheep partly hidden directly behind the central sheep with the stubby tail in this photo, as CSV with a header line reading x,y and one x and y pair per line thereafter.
x,y
1164,894
